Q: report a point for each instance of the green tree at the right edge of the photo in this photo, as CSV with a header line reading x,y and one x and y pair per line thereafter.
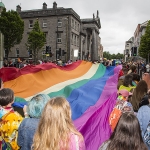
x,y
144,48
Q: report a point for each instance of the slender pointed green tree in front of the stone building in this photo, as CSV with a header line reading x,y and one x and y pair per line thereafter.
x,y
36,41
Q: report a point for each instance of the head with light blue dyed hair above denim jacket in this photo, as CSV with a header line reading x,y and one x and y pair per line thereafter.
x,y
36,105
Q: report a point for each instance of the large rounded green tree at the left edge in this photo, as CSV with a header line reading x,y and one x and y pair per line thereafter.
x,y
12,27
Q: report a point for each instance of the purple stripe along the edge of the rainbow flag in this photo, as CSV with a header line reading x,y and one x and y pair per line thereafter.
x,y
93,124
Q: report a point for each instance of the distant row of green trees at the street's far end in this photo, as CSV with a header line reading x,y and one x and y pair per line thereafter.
x,y
112,56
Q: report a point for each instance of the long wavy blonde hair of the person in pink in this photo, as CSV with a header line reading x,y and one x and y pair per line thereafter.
x,y
55,126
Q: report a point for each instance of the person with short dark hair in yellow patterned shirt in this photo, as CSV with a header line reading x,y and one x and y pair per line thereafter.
x,y
9,120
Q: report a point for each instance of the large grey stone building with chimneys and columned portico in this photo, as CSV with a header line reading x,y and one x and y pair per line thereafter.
x,y
65,33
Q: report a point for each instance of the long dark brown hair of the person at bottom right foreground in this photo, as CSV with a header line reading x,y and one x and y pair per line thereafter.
x,y
127,134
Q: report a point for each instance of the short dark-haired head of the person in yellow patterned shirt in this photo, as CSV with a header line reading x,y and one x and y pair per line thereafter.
x,y
6,96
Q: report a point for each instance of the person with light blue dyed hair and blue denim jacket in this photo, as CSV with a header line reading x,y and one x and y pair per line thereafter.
x,y
32,113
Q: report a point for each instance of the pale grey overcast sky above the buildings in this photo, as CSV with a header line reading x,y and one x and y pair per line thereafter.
x,y
119,18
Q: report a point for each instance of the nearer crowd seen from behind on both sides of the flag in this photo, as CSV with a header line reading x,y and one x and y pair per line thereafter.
x,y
46,122
